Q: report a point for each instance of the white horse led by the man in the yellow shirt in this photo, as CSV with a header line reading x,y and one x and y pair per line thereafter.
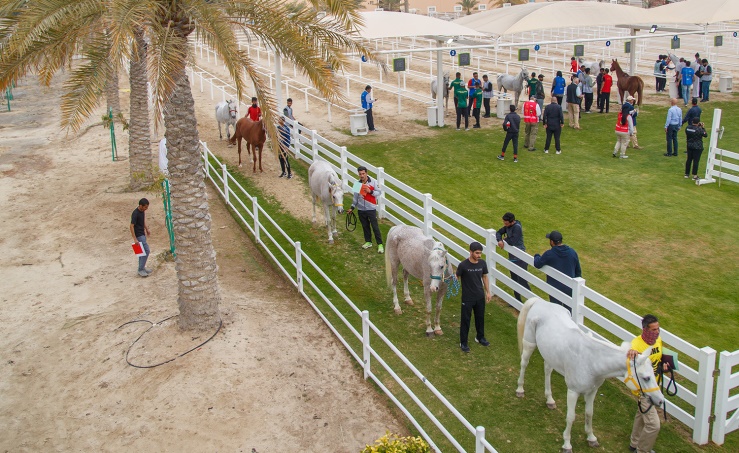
x,y
584,361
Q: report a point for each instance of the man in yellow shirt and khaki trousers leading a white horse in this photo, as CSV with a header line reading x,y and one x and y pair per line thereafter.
x,y
647,424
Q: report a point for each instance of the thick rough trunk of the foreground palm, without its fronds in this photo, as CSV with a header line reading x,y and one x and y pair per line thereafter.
x,y
198,290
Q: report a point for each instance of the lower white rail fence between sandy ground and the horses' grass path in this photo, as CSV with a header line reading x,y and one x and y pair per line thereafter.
x,y
297,267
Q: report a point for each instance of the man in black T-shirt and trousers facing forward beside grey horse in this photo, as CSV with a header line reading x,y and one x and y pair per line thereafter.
x,y
472,273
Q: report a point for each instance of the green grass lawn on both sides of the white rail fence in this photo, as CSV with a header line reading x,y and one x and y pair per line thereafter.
x,y
686,236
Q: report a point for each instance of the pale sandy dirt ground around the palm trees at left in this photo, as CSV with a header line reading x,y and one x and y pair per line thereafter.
x,y
273,379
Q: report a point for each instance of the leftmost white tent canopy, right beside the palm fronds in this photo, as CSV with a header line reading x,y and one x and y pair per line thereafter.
x,y
386,24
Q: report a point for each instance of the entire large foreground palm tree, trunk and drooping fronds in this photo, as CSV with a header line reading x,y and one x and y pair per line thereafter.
x,y
46,35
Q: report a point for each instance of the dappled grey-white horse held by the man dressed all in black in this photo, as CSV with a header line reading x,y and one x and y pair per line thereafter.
x,y
423,258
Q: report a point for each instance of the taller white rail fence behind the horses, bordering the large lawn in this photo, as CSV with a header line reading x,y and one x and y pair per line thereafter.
x,y
402,204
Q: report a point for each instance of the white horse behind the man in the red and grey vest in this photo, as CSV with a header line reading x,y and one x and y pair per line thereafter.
x,y
326,189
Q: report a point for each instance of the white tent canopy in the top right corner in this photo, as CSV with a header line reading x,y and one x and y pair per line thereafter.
x,y
702,12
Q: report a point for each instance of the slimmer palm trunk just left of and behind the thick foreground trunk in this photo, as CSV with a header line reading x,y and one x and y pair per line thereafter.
x,y
139,141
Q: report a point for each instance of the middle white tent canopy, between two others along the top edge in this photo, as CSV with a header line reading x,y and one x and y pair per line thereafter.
x,y
538,16
